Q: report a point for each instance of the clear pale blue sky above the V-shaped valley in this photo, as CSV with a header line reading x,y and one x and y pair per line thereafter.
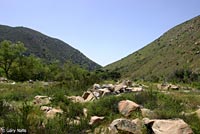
x,y
104,30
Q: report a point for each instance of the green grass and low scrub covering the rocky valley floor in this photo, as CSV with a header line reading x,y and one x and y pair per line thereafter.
x,y
25,115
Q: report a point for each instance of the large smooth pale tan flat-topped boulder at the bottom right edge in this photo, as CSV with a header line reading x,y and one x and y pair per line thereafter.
x,y
177,126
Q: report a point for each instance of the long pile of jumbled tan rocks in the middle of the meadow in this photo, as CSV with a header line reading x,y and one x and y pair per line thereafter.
x,y
99,91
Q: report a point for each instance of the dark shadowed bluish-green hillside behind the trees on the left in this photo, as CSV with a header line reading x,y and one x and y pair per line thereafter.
x,y
46,47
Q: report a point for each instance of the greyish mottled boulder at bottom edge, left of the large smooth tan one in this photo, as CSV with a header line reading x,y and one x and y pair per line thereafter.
x,y
125,125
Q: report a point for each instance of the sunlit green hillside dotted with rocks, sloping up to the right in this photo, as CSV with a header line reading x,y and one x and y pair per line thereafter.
x,y
178,48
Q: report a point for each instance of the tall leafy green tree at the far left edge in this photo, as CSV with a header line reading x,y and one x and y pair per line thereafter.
x,y
9,52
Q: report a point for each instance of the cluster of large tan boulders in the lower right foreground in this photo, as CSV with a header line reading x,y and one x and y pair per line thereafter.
x,y
155,126
